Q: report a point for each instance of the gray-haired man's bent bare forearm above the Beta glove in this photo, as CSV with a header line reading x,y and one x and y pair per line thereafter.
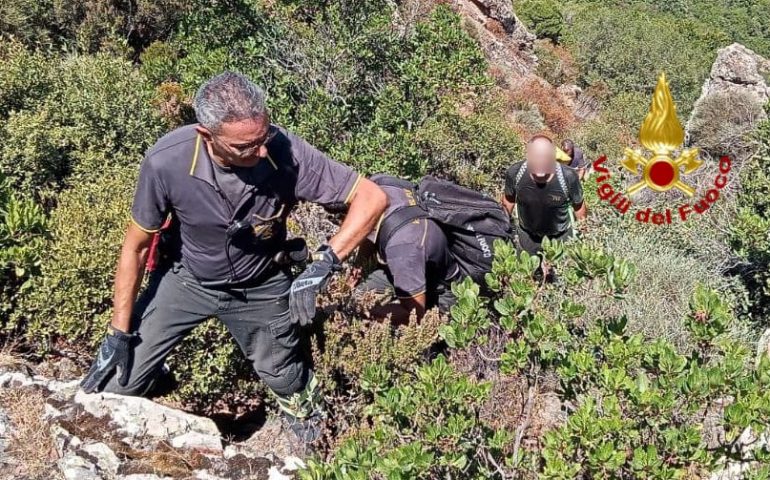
x,y
365,210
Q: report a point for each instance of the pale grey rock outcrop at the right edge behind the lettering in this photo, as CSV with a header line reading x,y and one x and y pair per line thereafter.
x,y
731,103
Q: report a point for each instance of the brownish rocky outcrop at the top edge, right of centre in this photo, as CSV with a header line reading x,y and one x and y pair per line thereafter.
x,y
506,42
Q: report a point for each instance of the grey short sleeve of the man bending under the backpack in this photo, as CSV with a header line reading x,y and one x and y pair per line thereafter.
x,y
406,260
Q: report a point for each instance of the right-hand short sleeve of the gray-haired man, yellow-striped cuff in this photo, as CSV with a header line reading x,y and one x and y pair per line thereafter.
x,y
320,179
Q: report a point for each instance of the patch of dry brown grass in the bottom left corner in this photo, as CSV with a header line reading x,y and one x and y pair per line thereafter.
x,y
31,446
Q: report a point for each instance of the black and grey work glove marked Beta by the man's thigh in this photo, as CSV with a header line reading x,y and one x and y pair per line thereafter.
x,y
310,283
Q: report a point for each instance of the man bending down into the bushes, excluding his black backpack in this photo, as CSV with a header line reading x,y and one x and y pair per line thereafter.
x,y
415,266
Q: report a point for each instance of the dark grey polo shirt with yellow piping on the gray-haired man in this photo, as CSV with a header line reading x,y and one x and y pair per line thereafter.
x,y
177,176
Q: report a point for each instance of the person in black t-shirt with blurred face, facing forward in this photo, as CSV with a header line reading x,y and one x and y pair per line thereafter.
x,y
542,192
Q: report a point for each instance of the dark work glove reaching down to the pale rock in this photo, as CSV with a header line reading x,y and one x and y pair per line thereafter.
x,y
115,352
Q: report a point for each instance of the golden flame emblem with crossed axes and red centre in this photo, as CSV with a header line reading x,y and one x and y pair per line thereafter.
x,y
661,135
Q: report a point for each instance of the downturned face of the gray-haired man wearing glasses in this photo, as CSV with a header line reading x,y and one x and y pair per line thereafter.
x,y
242,143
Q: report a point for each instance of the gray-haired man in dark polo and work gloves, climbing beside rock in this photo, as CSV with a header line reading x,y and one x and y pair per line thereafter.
x,y
230,181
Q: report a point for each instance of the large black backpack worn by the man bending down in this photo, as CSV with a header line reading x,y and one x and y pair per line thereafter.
x,y
470,220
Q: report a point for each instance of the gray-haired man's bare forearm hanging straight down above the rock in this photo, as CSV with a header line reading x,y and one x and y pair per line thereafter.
x,y
127,281
